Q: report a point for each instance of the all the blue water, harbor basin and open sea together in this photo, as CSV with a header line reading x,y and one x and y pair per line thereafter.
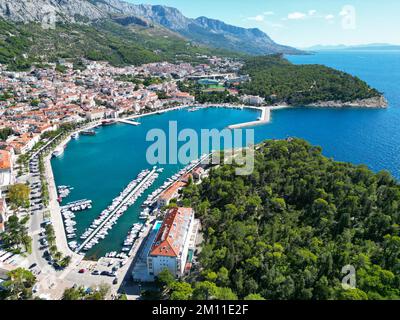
x,y
100,167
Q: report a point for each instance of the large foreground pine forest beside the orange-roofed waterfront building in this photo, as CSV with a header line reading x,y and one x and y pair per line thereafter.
x,y
287,230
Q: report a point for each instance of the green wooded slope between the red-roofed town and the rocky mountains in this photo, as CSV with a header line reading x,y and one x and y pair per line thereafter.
x,y
21,45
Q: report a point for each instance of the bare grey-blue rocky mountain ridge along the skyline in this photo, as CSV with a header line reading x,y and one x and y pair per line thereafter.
x,y
202,30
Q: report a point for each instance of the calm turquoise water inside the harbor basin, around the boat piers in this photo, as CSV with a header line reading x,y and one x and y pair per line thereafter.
x,y
99,167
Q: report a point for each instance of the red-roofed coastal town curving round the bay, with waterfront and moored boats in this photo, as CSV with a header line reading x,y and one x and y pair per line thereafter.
x,y
41,110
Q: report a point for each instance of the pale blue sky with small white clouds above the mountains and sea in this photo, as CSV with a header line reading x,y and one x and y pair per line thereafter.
x,y
303,23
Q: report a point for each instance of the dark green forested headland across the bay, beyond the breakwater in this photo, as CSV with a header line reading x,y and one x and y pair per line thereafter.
x,y
278,80
